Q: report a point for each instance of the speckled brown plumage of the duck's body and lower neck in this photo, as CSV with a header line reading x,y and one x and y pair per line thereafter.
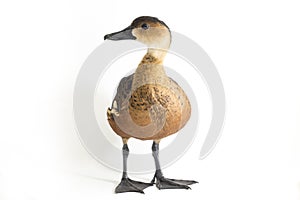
x,y
136,98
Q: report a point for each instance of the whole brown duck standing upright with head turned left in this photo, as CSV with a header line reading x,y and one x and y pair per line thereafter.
x,y
148,105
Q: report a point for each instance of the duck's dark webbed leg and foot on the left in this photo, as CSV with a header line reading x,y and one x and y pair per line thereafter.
x,y
126,184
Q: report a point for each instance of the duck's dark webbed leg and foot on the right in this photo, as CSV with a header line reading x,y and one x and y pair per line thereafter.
x,y
161,181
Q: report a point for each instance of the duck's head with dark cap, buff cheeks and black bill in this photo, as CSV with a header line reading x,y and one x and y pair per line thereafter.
x,y
148,30
